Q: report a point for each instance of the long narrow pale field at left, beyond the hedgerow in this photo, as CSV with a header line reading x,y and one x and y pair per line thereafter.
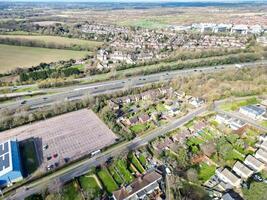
x,y
55,40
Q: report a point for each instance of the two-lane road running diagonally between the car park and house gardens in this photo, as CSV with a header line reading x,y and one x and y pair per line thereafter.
x,y
80,168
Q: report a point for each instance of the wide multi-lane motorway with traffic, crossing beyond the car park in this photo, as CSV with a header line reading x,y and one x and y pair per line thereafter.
x,y
81,91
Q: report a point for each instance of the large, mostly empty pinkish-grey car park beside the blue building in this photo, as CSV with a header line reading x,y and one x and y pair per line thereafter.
x,y
64,138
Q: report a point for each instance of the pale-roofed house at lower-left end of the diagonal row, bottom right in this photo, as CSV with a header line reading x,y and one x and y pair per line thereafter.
x,y
228,177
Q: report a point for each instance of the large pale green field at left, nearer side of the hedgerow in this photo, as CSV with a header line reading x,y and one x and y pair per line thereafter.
x,y
12,57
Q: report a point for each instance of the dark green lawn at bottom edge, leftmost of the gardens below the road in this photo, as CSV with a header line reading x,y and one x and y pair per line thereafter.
x,y
71,191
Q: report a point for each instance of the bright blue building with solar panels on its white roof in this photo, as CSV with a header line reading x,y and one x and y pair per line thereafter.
x,y
10,165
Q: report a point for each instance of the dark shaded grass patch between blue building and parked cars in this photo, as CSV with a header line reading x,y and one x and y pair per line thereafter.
x,y
29,158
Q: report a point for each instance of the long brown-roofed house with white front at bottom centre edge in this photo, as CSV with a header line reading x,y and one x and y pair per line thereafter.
x,y
140,187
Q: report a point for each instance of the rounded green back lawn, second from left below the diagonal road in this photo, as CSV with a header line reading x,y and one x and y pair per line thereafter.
x,y
89,184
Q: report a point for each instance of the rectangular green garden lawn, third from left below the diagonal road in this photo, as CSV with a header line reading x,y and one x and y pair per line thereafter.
x,y
107,180
